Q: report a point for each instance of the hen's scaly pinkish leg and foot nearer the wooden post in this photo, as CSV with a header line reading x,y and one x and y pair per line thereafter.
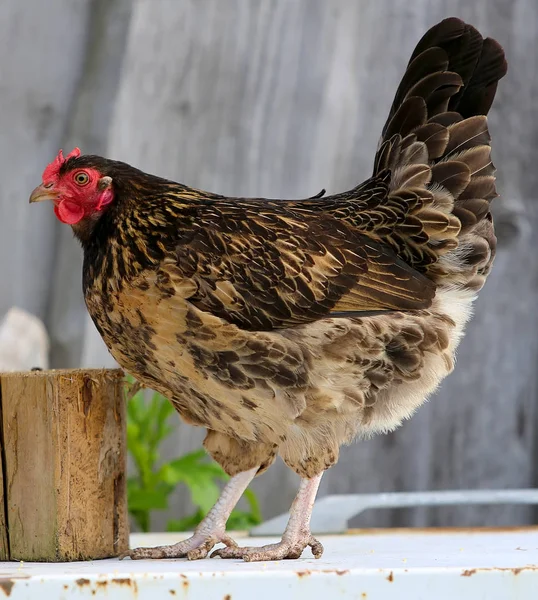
x,y
210,531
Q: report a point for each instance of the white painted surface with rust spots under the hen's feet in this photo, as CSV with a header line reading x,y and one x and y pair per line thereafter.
x,y
403,564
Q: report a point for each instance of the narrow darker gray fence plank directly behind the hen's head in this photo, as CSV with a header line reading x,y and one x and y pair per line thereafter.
x,y
87,125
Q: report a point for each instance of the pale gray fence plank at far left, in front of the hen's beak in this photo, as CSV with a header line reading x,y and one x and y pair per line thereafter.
x,y
41,52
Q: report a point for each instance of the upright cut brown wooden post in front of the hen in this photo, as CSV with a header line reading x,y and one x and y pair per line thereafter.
x,y
64,453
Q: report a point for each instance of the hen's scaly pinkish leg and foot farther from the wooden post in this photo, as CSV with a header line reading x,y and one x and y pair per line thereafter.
x,y
296,537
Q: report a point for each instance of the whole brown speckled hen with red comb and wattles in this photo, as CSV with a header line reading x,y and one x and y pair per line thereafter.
x,y
291,327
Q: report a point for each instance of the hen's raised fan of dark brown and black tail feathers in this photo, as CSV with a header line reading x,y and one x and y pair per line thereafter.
x,y
437,146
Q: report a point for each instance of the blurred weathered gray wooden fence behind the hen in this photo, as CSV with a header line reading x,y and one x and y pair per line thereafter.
x,y
278,98
